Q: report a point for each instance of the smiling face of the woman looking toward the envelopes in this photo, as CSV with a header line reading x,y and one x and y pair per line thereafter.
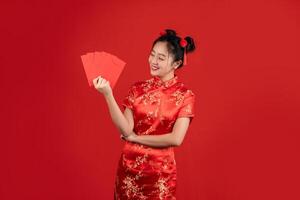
x,y
160,60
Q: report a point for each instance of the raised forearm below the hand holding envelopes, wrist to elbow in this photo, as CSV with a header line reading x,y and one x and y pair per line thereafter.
x,y
116,114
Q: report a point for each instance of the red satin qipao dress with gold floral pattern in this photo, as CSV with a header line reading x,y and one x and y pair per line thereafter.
x,y
146,172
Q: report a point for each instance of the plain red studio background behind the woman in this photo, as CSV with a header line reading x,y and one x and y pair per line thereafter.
x,y
57,138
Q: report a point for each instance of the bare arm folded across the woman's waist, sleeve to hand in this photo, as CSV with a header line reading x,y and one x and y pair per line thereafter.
x,y
175,138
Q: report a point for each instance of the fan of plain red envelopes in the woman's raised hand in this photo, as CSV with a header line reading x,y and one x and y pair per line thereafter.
x,y
102,64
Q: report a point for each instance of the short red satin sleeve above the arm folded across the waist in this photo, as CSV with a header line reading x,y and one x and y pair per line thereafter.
x,y
188,107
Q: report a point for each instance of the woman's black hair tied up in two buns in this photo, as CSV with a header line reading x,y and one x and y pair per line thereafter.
x,y
173,44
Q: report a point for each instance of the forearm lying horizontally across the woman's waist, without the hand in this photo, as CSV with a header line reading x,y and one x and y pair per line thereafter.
x,y
164,140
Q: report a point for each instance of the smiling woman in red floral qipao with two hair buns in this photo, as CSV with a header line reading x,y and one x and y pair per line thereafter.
x,y
157,115
